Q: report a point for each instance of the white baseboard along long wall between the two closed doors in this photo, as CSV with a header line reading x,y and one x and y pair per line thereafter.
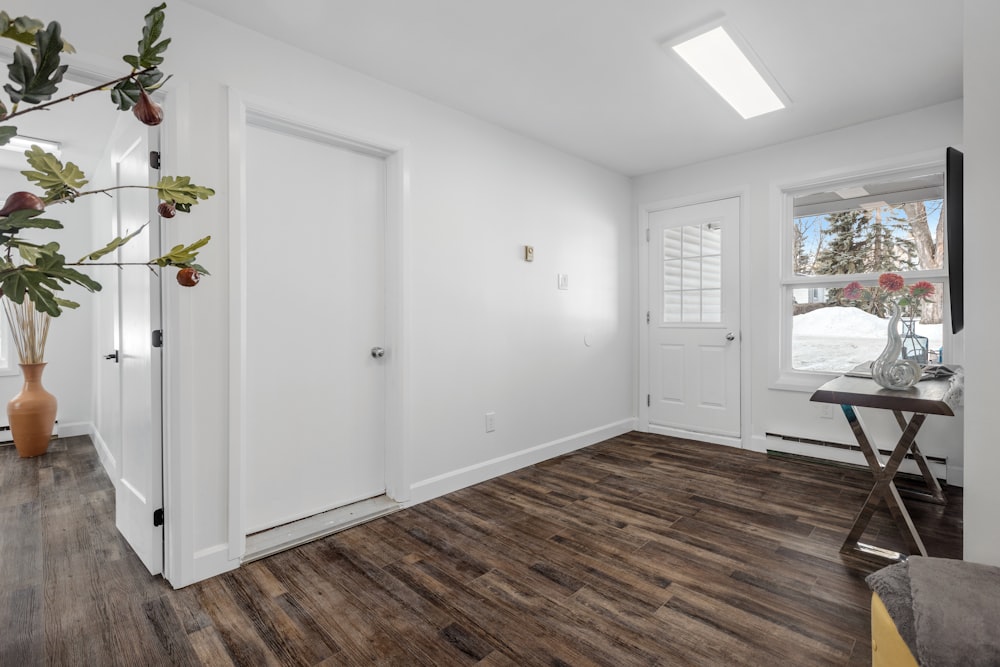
x,y
459,479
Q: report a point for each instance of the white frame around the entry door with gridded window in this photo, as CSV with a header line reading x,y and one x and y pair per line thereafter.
x,y
642,281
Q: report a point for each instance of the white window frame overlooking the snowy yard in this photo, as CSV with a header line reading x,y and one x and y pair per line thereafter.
x,y
784,376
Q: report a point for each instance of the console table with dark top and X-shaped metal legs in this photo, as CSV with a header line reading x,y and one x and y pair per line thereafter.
x,y
928,397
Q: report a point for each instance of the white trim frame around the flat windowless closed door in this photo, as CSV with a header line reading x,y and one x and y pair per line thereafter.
x,y
242,111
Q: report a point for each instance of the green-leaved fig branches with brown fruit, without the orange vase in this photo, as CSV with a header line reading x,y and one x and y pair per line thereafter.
x,y
37,270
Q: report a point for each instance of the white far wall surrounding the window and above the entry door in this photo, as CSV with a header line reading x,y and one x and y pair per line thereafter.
x,y
762,174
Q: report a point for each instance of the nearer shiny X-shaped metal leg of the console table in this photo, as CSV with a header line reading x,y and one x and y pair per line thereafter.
x,y
884,490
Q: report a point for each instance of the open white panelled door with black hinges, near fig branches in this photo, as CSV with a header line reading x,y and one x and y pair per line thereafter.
x,y
139,487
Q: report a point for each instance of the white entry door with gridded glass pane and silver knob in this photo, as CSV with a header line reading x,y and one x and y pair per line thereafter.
x,y
694,326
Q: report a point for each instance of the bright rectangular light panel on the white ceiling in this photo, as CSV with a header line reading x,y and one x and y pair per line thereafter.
x,y
733,72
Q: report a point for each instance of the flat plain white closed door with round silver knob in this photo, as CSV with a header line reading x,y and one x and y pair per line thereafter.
x,y
315,326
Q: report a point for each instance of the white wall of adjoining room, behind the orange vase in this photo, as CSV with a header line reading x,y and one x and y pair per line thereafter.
x,y
68,350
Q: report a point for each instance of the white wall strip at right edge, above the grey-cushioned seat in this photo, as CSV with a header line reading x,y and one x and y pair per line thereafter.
x,y
982,317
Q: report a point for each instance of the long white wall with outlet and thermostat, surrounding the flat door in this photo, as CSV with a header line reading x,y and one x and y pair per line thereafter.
x,y
487,331
